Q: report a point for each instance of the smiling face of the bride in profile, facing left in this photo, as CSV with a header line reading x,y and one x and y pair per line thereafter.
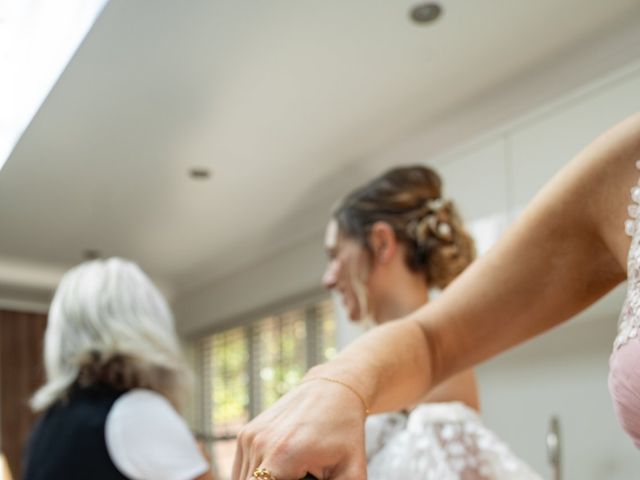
x,y
346,271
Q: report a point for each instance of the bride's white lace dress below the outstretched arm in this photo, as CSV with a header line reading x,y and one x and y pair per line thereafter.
x,y
439,441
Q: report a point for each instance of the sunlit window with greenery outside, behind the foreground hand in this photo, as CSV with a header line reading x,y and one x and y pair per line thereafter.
x,y
245,370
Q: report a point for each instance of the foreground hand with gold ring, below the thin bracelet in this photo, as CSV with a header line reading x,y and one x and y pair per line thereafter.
x,y
317,428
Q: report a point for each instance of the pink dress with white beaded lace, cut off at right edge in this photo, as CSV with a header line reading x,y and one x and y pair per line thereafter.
x,y
624,364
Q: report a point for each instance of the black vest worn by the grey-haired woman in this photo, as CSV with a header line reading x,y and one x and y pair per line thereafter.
x,y
68,441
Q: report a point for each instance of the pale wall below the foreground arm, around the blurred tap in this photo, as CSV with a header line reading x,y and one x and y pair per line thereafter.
x,y
563,373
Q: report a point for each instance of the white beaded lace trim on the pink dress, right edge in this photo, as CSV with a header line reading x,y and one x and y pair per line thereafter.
x,y
629,321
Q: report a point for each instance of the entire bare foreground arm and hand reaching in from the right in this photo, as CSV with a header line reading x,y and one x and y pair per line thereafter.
x,y
565,251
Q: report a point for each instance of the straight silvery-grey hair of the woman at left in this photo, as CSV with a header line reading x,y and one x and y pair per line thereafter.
x,y
109,311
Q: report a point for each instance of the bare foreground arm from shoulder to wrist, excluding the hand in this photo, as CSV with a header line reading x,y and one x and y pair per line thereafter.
x,y
565,251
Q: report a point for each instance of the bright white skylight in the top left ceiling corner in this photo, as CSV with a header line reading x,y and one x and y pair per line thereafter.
x,y
37,40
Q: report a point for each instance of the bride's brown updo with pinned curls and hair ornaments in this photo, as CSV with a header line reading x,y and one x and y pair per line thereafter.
x,y
409,200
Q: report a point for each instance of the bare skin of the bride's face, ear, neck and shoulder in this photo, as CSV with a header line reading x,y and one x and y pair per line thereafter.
x,y
392,290
